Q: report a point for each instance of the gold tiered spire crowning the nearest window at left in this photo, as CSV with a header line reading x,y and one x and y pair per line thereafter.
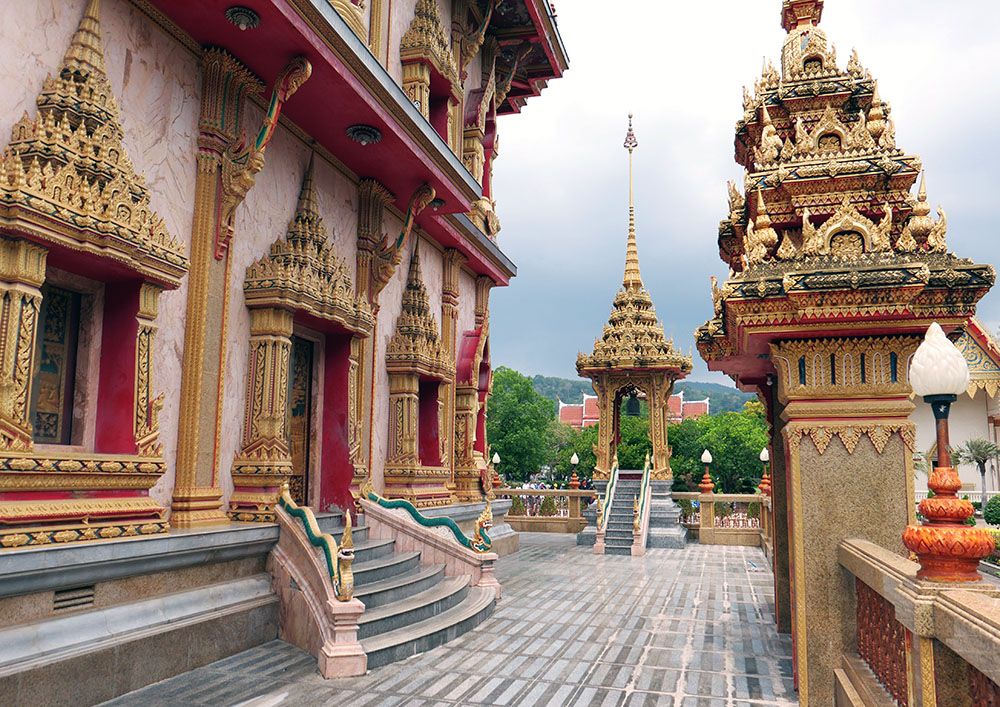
x,y
66,179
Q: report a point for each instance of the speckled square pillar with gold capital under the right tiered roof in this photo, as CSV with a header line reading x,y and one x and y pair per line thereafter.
x,y
848,445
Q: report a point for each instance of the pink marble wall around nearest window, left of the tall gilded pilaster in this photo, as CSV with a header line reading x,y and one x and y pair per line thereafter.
x,y
155,80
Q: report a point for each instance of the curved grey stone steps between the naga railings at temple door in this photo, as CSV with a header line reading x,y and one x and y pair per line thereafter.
x,y
410,607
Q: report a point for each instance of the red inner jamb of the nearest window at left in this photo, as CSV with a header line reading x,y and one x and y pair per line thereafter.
x,y
116,383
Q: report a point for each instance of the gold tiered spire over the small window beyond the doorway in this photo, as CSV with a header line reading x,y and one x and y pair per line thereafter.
x,y
415,346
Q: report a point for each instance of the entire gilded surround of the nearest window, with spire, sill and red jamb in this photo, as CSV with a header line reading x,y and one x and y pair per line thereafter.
x,y
70,197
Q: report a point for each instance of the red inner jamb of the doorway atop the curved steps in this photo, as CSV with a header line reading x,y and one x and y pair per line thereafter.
x,y
336,471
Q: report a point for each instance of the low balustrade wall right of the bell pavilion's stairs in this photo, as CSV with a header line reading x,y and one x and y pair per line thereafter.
x,y
727,518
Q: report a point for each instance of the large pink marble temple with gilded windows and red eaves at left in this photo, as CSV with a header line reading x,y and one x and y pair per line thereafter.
x,y
247,255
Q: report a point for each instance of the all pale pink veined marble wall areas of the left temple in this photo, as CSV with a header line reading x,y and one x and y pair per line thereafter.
x,y
156,81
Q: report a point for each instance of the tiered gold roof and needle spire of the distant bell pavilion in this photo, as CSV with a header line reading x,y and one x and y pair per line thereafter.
x,y
633,336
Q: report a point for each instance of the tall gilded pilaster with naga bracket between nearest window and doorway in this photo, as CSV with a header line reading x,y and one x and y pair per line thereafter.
x,y
226,172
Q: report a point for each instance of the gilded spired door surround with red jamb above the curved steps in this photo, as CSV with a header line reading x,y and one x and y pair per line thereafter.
x,y
300,280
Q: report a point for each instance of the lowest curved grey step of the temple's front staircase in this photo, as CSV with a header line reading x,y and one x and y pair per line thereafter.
x,y
430,633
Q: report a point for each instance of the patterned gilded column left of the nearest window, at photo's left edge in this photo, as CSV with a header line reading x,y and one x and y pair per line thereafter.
x,y
22,272
